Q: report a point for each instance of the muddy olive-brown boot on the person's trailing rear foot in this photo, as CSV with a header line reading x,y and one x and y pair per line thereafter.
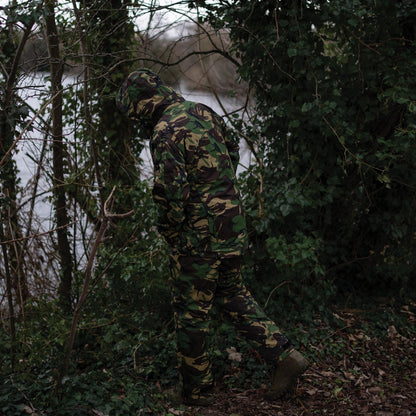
x,y
286,374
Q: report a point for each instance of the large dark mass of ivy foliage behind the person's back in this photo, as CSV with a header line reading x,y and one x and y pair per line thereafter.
x,y
335,126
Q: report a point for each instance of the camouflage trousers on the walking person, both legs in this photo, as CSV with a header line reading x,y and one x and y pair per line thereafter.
x,y
198,282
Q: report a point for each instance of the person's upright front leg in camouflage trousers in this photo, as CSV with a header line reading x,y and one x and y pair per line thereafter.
x,y
193,288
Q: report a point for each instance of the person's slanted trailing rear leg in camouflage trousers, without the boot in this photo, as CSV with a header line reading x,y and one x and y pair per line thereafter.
x,y
247,316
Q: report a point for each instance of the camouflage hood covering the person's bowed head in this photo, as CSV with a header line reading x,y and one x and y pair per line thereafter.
x,y
143,97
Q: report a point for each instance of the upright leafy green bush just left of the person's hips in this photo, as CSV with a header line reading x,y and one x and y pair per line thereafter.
x,y
133,264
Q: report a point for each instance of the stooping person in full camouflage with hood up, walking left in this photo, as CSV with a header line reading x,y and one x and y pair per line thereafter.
x,y
202,219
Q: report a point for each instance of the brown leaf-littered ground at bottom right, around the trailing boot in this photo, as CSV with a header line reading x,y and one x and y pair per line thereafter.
x,y
372,376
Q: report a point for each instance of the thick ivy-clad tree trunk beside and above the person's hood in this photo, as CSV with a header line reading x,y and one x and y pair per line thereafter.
x,y
111,37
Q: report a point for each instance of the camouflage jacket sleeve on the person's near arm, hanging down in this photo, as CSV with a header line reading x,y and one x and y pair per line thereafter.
x,y
171,187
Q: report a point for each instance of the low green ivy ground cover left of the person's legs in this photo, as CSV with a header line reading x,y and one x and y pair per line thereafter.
x,y
116,363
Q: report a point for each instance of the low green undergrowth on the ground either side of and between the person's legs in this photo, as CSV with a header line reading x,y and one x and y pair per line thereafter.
x,y
124,365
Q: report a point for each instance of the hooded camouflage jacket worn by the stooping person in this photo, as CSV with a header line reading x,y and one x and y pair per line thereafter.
x,y
194,166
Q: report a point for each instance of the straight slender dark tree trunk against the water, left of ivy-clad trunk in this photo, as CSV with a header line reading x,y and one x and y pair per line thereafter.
x,y
56,67
